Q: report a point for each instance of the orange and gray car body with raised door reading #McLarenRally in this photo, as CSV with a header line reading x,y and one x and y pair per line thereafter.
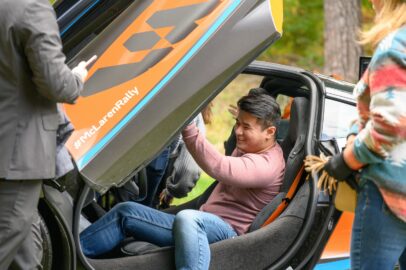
x,y
159,63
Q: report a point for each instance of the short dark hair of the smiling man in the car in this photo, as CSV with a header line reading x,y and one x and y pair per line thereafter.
x,y
263,106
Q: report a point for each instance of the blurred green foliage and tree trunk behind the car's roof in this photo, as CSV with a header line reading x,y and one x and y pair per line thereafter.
x,y
321,36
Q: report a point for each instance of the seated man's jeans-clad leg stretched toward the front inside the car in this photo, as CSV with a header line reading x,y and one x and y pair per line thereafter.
x,y
127,219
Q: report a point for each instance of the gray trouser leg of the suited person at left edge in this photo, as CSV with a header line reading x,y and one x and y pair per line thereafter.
x,y
18,204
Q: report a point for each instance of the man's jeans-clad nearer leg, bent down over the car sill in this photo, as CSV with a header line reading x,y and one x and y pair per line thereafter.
x,y
193,232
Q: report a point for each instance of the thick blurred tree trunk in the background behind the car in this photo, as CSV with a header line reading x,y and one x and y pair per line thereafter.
x,y
342,19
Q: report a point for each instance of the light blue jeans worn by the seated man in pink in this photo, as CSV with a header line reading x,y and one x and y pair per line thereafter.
x,y
190,231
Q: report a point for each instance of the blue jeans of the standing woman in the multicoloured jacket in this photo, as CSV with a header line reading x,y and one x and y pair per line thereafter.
x,y
378,237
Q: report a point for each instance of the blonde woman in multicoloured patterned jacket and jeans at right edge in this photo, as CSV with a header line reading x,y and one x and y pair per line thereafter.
x,y
379,230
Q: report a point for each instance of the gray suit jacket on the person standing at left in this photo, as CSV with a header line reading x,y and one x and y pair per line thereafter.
x,y
33,78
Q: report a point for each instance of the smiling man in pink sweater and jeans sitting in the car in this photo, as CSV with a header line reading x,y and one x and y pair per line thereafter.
x,y
248,180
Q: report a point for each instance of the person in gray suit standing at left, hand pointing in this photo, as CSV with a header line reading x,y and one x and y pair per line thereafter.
x,y
33,79
